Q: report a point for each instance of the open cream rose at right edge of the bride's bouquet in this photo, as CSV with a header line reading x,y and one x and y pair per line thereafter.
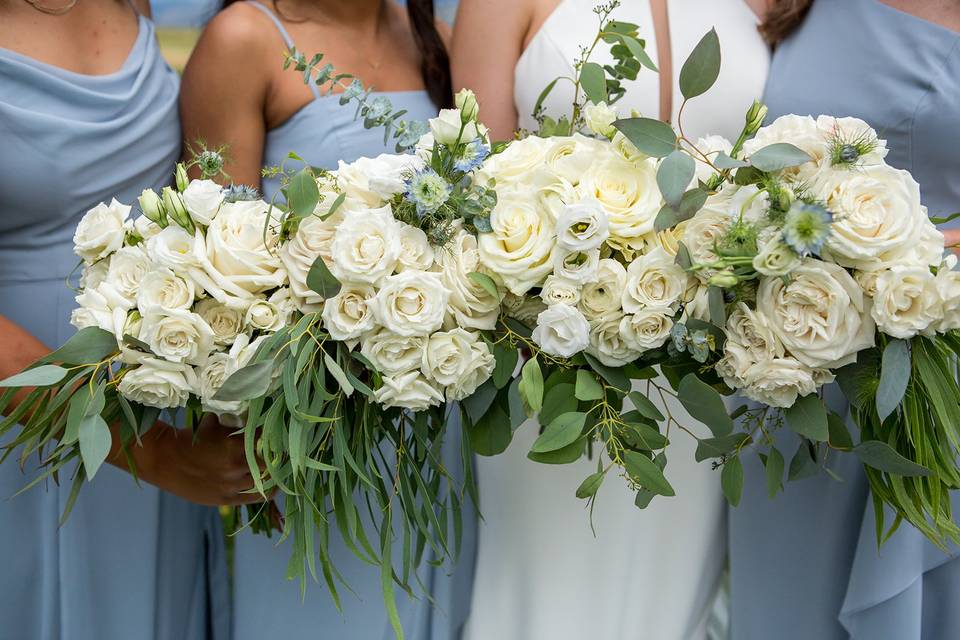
x,y
653,280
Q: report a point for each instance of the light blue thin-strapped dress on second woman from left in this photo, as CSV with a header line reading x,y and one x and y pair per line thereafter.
x,y
266,604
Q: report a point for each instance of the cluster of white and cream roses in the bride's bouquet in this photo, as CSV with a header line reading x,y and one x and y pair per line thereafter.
x,y
575,219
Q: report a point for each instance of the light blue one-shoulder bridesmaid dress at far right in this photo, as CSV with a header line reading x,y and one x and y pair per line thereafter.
x,y
805,565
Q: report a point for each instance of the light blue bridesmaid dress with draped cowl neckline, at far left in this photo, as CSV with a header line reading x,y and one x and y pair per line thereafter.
x,y
131,563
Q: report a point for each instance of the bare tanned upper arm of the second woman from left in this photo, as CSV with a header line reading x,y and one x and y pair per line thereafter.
x,y
224,90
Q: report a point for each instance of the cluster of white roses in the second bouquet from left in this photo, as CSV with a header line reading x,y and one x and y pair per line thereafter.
x,y
409,306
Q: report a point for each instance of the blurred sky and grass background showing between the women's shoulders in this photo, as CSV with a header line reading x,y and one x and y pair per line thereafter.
x,y
179,23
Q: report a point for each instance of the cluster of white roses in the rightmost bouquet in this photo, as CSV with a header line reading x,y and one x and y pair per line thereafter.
x,y
880,266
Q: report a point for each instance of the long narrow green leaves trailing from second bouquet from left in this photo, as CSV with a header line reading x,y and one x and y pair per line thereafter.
x,y
344,465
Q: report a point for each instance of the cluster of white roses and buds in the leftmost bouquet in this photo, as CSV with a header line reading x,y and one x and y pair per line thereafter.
x,y
189,290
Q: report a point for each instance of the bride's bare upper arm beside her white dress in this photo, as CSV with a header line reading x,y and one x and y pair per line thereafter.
x,y
488,37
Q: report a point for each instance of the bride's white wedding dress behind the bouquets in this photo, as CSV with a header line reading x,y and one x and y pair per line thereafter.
x,y
650,574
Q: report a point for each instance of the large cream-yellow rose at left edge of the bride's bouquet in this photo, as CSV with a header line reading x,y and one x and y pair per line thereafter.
x,y
520,247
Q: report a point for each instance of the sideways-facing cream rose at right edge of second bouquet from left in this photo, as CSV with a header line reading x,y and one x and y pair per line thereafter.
x,y
470,305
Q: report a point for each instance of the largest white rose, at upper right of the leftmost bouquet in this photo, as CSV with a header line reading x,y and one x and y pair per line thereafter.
x,y
241,252
